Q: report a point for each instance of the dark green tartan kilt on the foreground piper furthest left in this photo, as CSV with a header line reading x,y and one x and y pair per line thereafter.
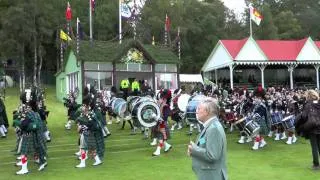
x,y
26,144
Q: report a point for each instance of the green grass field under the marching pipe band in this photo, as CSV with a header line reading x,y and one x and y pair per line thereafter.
x,y
129,157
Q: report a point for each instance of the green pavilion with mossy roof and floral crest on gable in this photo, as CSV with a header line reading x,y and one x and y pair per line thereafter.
x,y
108,63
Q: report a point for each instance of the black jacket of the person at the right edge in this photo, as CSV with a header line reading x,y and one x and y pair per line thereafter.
x,y
308,121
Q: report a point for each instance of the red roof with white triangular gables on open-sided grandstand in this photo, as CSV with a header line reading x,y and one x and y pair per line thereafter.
x,y
250,51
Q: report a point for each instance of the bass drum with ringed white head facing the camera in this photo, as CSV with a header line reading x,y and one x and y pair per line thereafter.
x,y
145,114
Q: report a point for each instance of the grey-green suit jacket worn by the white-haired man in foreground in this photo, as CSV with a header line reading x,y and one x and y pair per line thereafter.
x,y
209,153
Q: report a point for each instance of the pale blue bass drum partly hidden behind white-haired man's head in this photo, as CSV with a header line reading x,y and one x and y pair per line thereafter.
x,y
191,109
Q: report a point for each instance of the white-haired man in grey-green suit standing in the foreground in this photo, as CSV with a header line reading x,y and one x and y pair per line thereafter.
x,y
209,151
